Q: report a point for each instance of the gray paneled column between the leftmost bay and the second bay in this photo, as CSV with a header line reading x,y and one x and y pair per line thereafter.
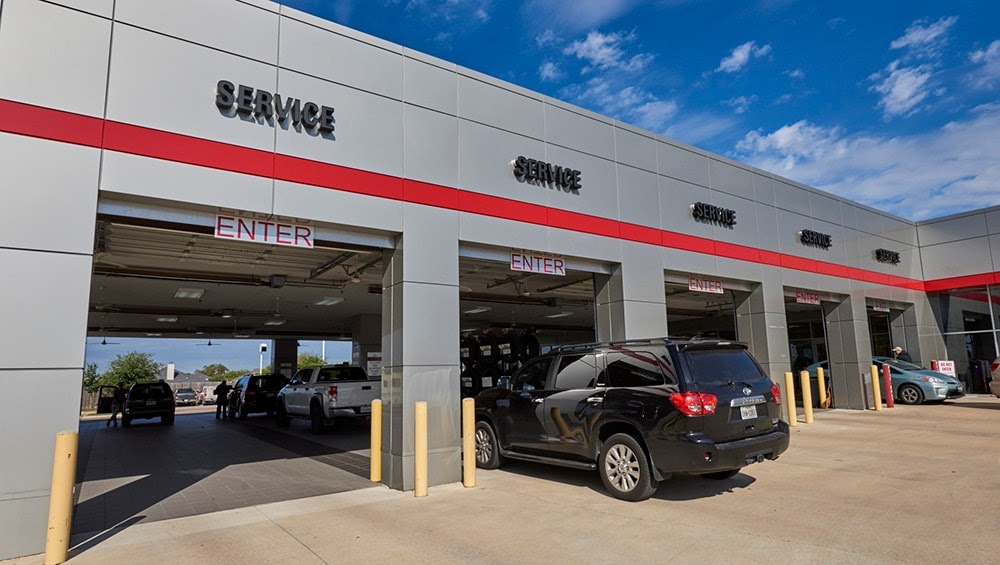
x,y
420,343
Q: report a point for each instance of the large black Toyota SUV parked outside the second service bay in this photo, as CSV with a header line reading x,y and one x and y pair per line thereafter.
x,y
637,411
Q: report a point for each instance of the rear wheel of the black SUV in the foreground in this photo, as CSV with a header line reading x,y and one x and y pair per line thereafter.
x,y
625,470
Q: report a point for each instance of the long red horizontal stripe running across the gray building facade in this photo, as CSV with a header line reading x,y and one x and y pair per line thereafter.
x,y
46,123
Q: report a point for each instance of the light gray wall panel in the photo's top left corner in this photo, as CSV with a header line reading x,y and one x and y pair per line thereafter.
x,y
79,58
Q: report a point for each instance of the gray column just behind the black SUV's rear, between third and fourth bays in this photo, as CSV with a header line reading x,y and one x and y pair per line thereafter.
x,y
761,323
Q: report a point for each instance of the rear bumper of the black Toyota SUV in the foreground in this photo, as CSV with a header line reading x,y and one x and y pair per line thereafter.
x,y
696,454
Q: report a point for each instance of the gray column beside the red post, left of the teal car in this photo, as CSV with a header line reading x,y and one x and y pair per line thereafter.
x,y
849,344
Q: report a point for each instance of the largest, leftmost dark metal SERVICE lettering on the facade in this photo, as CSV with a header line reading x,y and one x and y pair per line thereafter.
x,y
261,103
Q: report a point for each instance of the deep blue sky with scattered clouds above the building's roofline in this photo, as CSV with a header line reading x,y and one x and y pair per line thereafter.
x,y
892,103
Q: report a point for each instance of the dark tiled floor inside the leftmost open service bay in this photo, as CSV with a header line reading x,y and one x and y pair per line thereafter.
x,y
200,464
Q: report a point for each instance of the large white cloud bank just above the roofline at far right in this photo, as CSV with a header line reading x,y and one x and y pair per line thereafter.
x,y
949,170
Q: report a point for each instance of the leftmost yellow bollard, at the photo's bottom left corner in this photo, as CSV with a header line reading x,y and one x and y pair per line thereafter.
x,y
61,498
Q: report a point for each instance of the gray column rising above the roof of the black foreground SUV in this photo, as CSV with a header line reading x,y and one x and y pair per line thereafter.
x,y
631,301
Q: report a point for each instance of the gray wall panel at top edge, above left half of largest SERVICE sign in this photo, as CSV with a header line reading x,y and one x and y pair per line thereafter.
x,y
208,23
